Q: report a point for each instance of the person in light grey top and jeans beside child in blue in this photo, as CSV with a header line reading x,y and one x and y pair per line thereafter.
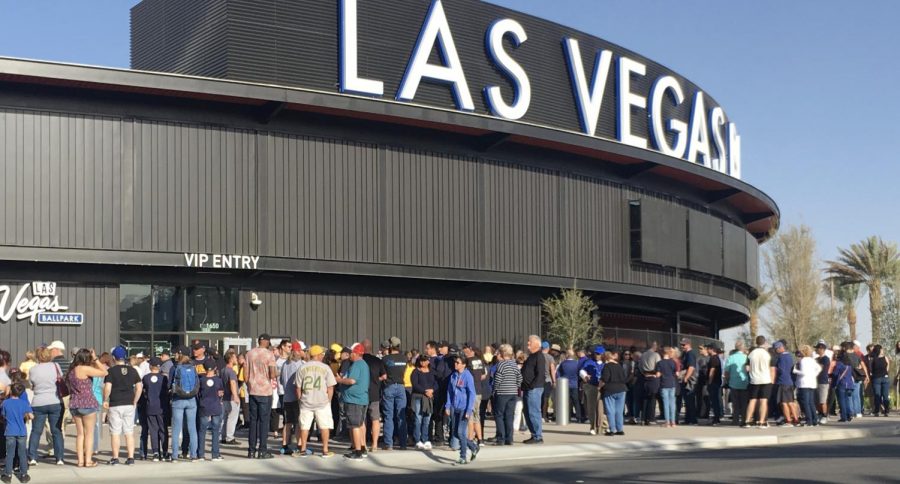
x,y
47,405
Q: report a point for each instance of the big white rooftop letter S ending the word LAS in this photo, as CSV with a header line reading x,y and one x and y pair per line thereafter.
x,y
521,84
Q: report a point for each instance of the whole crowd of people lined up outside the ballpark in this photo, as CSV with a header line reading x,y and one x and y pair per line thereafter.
x,y
440,396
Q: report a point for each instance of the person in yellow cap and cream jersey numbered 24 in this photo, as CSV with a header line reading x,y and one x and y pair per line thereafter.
x,y
313,388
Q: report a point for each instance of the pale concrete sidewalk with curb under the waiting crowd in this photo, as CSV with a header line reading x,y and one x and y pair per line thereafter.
x,y
571,442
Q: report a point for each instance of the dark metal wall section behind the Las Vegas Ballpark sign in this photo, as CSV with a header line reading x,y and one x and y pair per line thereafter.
x,y
98,303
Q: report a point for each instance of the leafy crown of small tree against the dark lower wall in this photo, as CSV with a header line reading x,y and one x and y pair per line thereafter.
x,y
570,319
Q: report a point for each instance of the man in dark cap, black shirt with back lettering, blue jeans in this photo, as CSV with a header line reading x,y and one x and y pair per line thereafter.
x,y
393,397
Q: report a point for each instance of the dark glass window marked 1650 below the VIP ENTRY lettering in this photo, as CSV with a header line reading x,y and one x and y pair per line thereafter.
x,y
212,309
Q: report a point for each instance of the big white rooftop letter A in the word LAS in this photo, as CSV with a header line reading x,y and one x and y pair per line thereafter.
x,y
436,29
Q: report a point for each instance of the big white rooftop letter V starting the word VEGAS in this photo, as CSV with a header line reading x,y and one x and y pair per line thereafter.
x,y
587,102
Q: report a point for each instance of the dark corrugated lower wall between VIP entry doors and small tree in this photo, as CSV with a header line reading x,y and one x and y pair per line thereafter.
x,y
326,318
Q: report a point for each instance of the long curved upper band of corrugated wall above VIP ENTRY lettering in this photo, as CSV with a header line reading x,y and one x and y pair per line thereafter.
x,y
131,184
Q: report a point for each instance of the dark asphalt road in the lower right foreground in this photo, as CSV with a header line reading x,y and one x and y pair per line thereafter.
x,y
857,460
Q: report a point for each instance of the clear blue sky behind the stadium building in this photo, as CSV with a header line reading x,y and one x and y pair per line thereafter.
x,y
811,85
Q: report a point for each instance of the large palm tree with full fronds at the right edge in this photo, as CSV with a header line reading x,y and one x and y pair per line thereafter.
x,y
872,262
